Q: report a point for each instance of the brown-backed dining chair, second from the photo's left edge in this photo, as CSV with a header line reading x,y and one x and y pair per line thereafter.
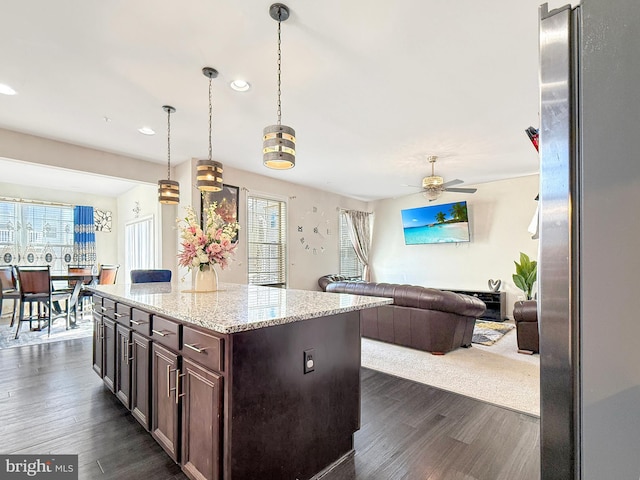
x,y
36,288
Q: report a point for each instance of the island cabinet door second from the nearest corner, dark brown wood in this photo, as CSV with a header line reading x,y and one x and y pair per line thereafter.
x,y
165,407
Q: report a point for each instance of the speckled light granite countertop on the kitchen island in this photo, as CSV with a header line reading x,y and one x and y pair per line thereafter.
x,y
235,308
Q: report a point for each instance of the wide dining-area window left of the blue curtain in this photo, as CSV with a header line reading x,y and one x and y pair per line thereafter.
x,y
36,234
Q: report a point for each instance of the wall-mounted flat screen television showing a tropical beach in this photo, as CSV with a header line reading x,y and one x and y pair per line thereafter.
x,y
446,223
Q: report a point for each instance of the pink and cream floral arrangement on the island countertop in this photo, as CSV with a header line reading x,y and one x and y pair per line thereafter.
x,y
204,248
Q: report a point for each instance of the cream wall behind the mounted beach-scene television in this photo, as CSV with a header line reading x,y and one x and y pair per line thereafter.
x,y
499,214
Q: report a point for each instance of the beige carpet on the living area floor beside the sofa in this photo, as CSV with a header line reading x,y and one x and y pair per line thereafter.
x,y
497,374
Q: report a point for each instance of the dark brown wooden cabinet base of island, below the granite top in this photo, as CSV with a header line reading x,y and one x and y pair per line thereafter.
x,y
214,401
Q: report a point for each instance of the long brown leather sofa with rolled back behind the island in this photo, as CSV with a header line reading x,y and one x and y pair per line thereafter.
x,y
427,319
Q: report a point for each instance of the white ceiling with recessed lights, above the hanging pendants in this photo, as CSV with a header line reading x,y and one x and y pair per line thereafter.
x,y
372,88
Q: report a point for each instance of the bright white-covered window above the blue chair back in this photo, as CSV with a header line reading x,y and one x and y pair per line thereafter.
x,y
139,248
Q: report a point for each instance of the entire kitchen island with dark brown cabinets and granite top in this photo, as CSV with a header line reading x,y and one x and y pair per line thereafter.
x,y
244,383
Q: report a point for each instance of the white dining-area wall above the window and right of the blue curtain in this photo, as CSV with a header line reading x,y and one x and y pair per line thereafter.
x,y
106,242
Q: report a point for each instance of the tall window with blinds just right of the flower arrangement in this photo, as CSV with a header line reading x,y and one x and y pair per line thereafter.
x,y
267,241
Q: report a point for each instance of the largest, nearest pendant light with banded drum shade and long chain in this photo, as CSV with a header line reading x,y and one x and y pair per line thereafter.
x,y
279,141
